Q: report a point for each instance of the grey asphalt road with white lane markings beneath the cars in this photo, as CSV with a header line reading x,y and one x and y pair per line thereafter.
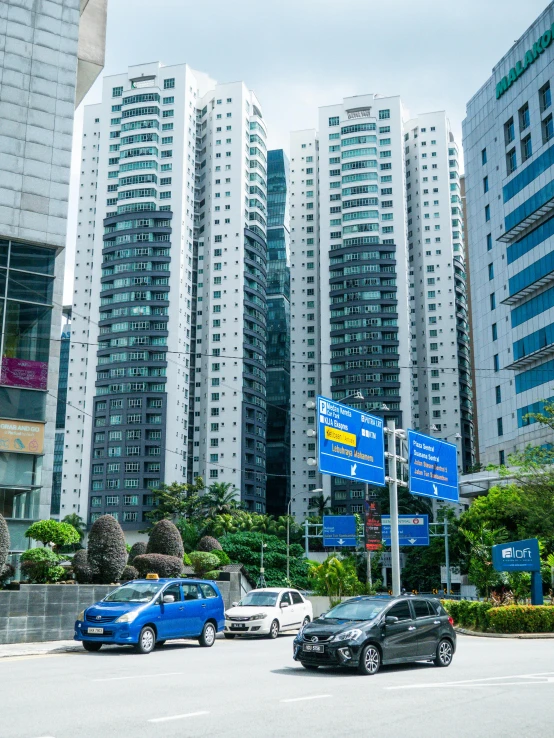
x,y
253,688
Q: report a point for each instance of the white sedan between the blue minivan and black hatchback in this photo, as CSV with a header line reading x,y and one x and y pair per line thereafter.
x,y
266,612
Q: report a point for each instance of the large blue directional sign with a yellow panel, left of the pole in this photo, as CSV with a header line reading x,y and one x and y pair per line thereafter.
x,y
351,444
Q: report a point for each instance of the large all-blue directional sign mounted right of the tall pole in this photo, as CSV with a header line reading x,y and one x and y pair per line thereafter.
x,y
433,467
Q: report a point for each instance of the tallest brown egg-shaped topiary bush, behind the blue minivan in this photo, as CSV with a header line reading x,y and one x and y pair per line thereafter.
x,y
107,554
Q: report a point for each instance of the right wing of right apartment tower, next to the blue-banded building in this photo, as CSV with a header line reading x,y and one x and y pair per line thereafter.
x,y
443,404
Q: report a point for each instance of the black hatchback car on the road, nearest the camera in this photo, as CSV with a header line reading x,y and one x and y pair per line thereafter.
x,y
365,632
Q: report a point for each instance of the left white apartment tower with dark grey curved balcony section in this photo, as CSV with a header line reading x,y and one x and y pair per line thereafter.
x,y
169,242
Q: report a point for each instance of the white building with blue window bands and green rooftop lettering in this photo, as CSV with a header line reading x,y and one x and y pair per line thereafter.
x,y
509,153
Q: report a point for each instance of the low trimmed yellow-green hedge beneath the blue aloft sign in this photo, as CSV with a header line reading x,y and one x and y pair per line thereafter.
x,y
483,616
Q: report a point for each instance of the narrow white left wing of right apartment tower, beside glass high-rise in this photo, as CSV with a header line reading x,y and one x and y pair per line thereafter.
x,y
306,327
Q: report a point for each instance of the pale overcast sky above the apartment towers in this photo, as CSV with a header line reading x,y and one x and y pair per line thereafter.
x,y
300,54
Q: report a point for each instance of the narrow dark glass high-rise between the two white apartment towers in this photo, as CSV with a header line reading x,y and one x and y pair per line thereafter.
x,y
278,334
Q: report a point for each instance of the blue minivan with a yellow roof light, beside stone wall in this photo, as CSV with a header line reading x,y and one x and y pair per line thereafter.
x,y
146,613
